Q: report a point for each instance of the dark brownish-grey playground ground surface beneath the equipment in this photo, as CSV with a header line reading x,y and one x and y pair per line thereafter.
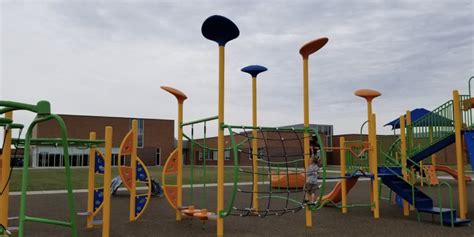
x,y
159,219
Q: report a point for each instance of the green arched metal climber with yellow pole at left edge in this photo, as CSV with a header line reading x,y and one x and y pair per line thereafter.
x,y
43,113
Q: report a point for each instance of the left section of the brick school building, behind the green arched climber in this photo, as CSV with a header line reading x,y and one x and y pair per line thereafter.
x,y
155,139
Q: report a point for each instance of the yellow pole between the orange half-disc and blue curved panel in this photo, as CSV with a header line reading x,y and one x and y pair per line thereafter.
x,y
133,166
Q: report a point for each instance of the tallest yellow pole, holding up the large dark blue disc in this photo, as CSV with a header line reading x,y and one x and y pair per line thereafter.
x,y
220,145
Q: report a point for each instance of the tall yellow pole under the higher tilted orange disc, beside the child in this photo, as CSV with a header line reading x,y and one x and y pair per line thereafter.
x,y
309,221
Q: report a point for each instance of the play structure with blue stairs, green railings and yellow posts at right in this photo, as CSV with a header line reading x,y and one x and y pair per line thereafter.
x,y
420,139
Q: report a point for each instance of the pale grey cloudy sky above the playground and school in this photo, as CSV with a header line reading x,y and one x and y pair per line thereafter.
x,y
109,58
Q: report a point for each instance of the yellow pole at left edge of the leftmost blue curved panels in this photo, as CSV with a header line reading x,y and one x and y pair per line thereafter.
x,y
90,186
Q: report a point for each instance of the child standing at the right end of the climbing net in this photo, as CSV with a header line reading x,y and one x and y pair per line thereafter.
x,y
312,175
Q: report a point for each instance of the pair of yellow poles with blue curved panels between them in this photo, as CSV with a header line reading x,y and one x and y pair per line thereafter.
x,y
98,198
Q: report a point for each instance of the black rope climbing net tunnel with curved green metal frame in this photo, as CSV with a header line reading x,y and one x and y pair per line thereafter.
x,y
280,169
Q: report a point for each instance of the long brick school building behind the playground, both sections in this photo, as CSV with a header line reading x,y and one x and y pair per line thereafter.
x,y
156,140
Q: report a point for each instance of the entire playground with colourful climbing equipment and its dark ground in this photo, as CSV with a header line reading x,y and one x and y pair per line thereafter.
x,y
375,189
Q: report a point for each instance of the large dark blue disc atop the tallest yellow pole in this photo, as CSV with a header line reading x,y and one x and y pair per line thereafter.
x,y
219,29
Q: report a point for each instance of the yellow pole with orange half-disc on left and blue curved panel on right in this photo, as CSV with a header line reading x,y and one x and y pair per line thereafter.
x,y
132,170
